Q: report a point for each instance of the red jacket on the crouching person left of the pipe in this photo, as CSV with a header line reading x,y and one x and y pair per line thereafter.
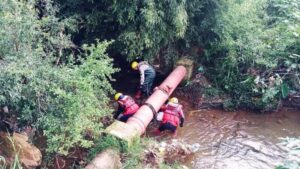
x,y
129,105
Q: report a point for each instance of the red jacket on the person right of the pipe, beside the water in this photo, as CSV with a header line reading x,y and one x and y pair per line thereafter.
x,y
172,114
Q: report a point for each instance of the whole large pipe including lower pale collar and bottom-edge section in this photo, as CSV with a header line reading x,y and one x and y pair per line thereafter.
x,y
138,123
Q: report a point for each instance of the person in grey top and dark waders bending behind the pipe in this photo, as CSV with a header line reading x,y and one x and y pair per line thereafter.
x,y
147,74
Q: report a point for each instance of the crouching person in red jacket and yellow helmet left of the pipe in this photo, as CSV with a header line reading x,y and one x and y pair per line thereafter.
x,y
127,107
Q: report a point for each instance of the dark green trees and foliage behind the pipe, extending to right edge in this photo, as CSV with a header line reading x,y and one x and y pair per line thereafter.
x,y
250,49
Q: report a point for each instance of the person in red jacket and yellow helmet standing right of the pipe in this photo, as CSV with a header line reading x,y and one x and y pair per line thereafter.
x,y
172,117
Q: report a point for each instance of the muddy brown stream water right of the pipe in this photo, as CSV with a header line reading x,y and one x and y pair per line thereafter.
x,y
238,140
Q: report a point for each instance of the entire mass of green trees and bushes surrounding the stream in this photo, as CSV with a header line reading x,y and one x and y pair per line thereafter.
x,y
55,72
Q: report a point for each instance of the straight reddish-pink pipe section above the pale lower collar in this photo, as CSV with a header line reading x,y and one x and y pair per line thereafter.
x,y
144,115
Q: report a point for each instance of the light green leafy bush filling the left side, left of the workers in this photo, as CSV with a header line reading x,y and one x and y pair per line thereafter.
x,y
66,100
